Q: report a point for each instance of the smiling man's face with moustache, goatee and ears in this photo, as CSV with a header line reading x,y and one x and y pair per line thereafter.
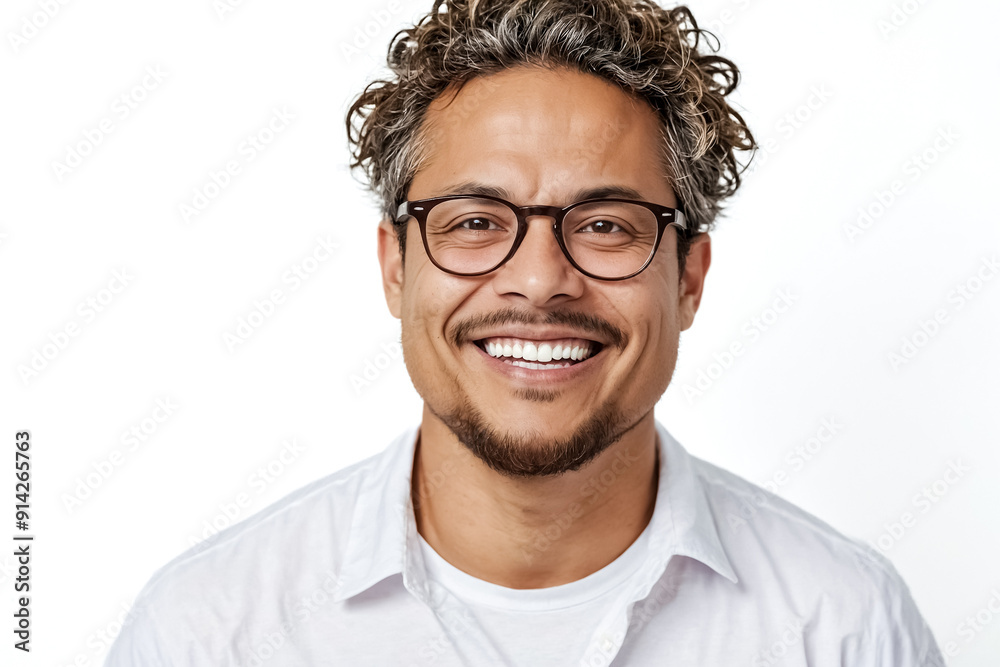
x,y
540,137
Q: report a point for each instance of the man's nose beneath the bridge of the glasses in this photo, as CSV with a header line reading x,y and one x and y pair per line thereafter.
x,y
539,271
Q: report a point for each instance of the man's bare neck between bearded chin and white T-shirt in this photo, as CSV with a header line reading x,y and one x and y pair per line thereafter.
x,y
532,532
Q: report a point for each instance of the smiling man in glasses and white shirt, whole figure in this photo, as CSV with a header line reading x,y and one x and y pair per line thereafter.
x,y
548,171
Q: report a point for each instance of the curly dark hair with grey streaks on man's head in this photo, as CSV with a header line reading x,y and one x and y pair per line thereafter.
x,y
647,51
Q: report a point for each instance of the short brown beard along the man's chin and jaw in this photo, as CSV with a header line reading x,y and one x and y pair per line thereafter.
x,y
524,455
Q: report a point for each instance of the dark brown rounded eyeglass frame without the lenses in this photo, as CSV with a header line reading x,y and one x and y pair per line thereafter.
x,y
665,216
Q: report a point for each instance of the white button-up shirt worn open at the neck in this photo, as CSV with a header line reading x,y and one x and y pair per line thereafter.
x,y
725,574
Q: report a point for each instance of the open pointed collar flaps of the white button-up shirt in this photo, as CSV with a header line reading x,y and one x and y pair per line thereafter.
x,y
383,534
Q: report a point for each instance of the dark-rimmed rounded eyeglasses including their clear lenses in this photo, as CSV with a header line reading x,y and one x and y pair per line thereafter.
x,y
606,239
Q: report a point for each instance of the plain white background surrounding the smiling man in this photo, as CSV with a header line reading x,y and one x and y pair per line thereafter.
x,y
886,94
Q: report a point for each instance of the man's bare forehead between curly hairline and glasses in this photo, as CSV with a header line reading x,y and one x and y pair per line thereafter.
x,y
541,133
